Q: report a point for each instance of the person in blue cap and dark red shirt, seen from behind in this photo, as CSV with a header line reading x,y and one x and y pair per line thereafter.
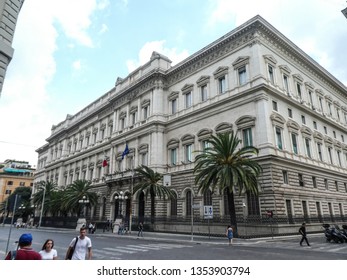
x,y
25,251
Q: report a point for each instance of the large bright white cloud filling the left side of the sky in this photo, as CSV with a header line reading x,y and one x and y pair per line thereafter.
x,y
25,103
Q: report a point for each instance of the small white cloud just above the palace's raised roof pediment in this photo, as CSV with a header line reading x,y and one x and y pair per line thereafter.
x,y
146,51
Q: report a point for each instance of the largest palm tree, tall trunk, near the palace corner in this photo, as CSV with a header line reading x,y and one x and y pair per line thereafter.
x,y
225,166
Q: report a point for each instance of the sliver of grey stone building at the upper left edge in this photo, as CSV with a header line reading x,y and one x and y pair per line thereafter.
x,y
9,10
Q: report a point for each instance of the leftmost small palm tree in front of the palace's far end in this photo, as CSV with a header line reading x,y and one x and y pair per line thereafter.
x,y
43,196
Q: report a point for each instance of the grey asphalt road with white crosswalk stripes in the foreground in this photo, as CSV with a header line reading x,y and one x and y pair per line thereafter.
x,y
113,247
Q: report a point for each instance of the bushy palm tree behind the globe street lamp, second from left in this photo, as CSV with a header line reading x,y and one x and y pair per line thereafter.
x,y
79,190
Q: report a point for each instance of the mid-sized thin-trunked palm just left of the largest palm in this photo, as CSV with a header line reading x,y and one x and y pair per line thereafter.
x,y
150,185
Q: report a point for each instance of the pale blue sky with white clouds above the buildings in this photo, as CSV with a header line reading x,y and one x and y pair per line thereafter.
x,y
70,52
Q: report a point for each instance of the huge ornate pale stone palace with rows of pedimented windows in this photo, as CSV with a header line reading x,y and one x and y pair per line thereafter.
x,y
253,81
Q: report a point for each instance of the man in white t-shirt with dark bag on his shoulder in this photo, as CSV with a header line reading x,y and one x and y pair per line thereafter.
x,y
82,246
